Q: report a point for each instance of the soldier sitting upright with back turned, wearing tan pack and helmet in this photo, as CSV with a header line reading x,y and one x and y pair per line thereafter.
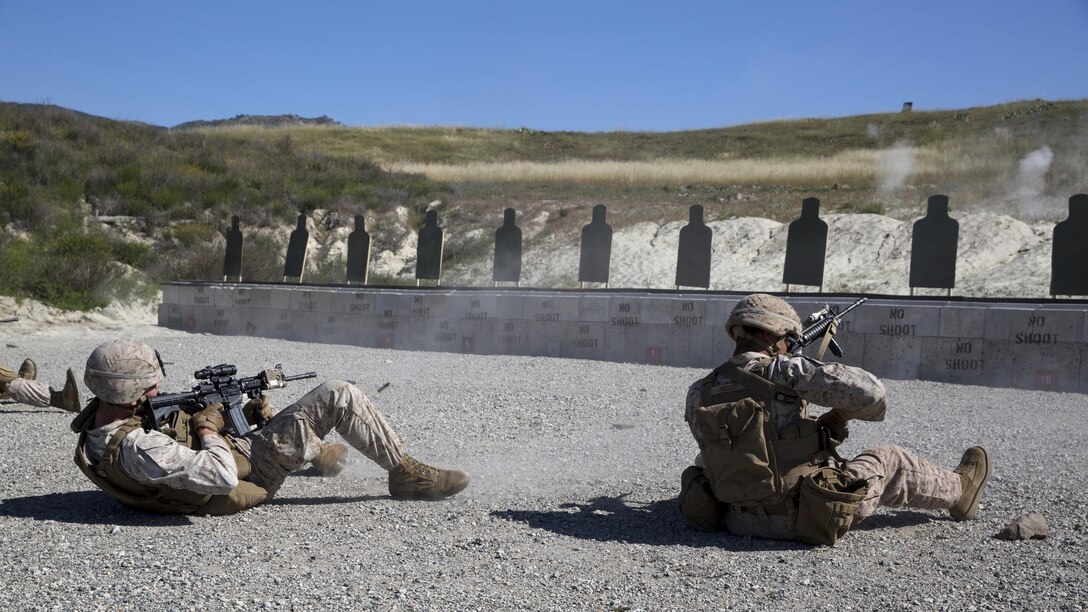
x,y
764,467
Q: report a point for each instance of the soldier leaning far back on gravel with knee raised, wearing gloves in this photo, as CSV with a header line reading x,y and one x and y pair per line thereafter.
x,y
192,468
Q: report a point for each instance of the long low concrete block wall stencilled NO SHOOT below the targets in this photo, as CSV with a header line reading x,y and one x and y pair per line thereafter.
x,y
1029,346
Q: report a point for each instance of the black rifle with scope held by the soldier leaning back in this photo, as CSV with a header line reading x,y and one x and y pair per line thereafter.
x,y
218,386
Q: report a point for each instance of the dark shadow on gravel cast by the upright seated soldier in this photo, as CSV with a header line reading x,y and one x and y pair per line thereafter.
x,y
616,520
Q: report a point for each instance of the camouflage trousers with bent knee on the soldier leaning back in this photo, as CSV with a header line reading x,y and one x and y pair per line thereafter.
x,y
293,437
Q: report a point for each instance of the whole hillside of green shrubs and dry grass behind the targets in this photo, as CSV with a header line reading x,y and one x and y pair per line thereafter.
x,y
170,193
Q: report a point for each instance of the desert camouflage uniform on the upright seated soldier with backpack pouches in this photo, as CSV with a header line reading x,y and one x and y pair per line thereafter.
x,y
896,476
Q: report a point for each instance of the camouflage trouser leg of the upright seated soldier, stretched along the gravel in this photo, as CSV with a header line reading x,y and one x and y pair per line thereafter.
x,y
900,480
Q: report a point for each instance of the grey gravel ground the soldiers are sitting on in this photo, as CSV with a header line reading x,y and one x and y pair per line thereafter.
x,y
573,507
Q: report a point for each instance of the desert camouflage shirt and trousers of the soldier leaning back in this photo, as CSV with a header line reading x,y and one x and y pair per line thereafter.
x,y
289,442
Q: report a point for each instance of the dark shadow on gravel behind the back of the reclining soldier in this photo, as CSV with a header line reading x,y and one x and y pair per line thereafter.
x,y
86,508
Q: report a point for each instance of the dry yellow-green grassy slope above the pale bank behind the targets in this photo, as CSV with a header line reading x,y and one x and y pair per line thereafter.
x,y
893,162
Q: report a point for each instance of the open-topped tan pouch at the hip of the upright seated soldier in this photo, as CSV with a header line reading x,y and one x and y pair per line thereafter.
x,y
827,506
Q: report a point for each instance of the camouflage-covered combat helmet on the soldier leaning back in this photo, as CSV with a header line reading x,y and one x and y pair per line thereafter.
x,y
120,372
